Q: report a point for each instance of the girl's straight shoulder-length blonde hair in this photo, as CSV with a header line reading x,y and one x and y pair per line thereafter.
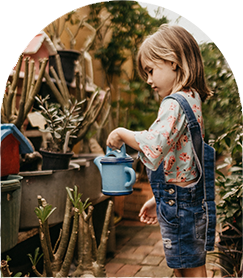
x,y
175,44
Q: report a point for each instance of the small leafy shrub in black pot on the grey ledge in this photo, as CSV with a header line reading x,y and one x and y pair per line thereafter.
x,y
62,124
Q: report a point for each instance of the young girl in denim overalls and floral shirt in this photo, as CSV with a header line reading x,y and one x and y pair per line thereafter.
x,y
179,167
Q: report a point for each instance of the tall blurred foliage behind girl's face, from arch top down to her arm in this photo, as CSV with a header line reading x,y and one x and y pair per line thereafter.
x,y
129,25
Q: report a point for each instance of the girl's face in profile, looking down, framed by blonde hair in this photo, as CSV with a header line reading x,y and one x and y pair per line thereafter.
x,y
161,76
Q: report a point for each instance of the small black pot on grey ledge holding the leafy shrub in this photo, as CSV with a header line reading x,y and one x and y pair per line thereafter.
x,y
55,160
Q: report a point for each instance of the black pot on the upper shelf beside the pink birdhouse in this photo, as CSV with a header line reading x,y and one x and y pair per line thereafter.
x,y
68,58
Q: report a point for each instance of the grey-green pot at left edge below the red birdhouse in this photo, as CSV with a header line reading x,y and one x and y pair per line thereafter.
x,y
10,200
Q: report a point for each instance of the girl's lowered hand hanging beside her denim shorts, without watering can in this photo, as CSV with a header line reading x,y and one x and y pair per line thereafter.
x,y
148,212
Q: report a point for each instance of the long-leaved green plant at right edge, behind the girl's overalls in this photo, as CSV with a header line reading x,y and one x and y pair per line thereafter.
x,y
230,186
